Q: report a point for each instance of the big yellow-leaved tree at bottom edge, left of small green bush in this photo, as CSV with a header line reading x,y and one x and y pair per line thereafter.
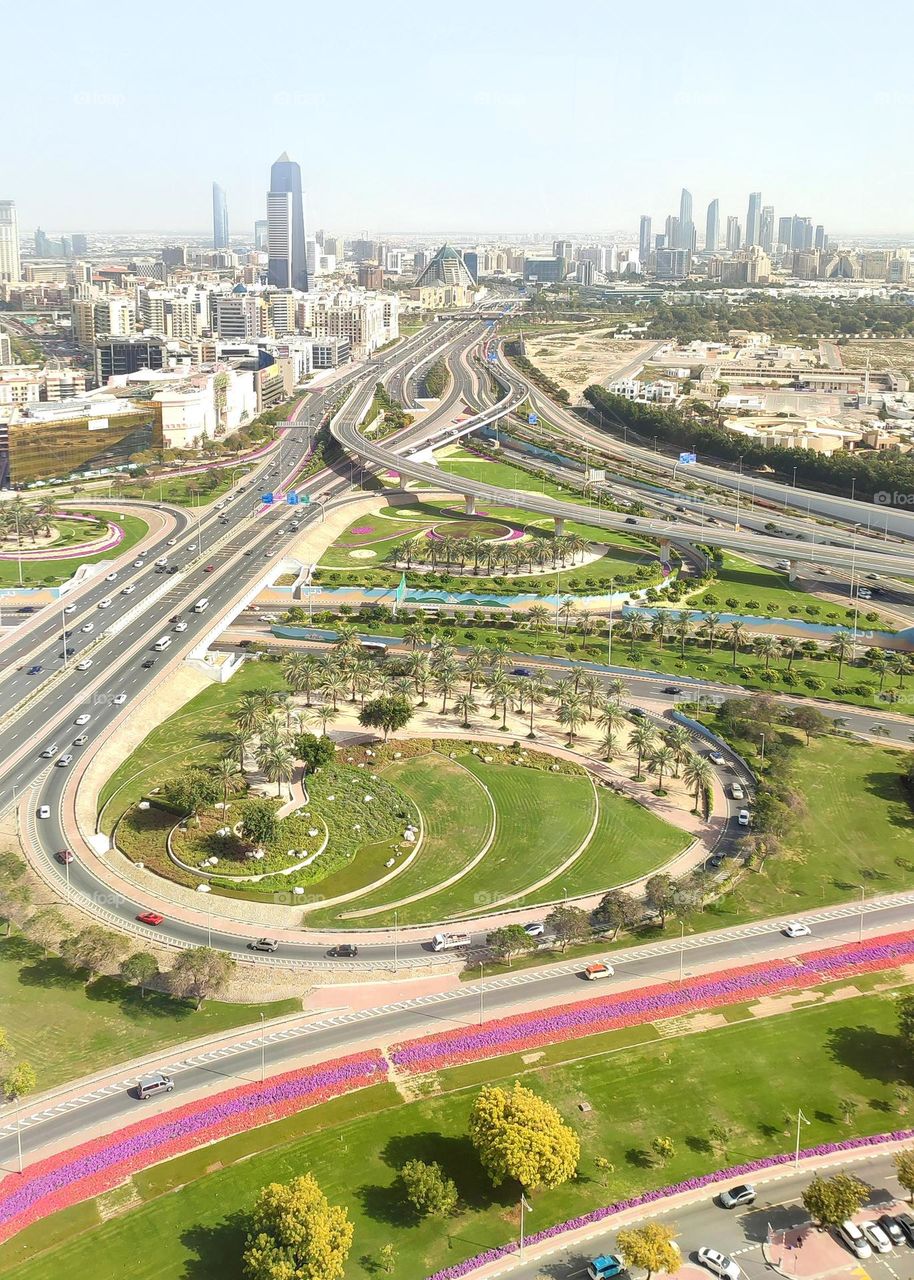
x,y
296,1235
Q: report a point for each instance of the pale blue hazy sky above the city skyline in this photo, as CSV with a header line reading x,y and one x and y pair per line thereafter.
x,y
500,116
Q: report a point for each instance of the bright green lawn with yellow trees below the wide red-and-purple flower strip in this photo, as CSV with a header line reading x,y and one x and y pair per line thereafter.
x,y
748,1077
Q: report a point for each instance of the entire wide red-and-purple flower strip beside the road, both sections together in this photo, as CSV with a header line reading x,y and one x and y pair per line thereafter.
x,y
97,1167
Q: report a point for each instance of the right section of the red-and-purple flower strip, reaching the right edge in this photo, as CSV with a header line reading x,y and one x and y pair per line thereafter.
x,y
666,1000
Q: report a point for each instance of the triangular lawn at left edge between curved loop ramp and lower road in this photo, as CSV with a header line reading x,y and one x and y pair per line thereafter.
x,y
67,1030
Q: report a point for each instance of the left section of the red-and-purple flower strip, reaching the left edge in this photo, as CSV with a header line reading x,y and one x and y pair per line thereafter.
x,y
95,1167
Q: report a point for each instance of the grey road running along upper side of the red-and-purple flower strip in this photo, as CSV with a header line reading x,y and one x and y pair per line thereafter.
x,y
333,1035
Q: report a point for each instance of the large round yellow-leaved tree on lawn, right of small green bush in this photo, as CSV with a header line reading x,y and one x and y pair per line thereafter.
x,y
520,1136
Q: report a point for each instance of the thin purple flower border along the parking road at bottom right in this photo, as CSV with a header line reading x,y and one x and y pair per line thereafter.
x,y
660,1194
